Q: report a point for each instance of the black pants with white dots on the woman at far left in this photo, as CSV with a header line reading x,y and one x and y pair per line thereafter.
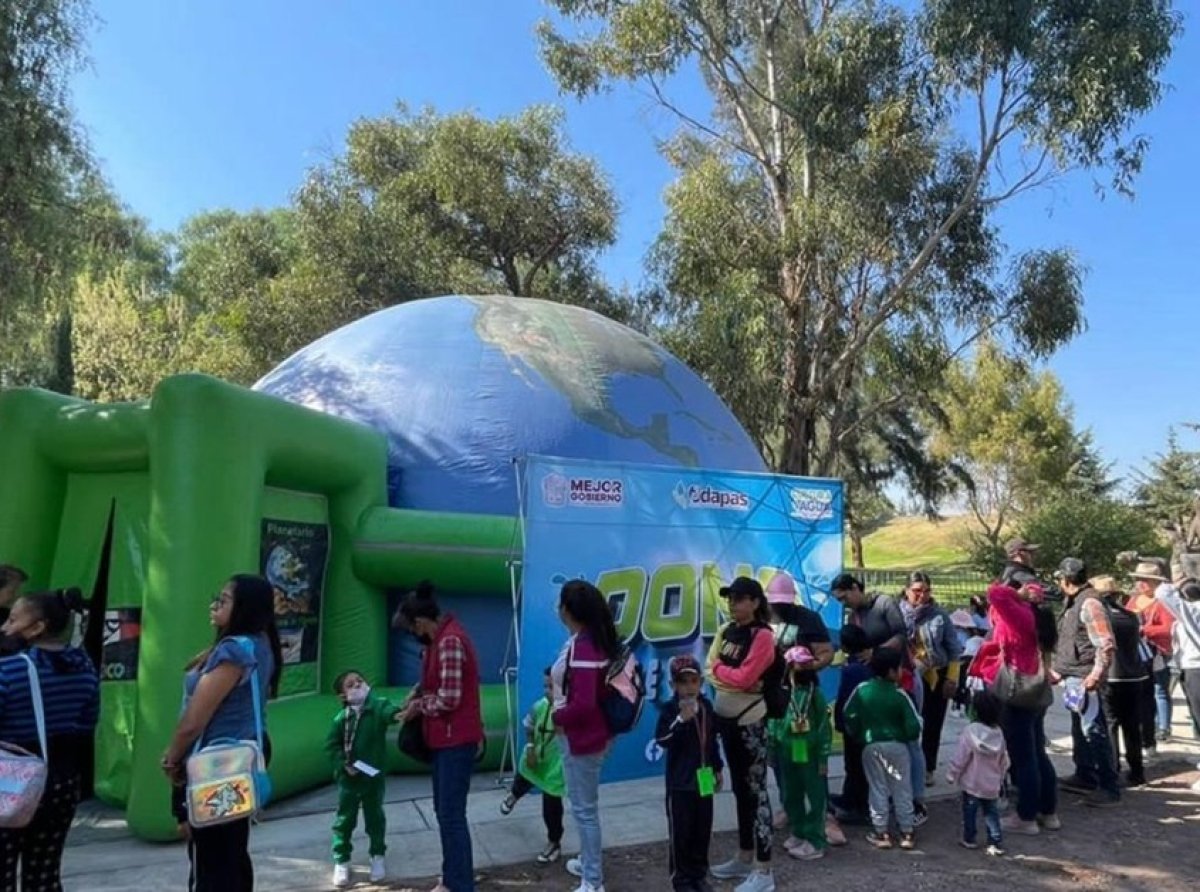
x,y
39,847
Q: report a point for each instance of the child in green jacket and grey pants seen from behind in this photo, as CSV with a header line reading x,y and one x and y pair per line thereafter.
x,y
884,719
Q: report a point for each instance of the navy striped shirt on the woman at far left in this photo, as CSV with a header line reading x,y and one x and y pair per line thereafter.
x,y
70,696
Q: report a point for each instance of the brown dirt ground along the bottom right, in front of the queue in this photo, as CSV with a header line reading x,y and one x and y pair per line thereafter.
x,y
1150,842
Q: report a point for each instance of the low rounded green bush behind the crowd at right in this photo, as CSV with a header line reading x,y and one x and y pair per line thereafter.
x,y
1089,528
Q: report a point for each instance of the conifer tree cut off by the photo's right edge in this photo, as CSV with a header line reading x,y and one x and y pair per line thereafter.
x,y
1169,493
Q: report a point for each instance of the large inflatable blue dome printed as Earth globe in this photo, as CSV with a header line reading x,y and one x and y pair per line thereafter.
x,y
464,386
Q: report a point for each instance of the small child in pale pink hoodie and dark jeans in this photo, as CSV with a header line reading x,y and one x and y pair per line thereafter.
x,y
979,771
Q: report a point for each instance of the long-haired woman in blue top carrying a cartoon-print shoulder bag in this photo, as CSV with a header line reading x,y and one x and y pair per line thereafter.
x,y
220,705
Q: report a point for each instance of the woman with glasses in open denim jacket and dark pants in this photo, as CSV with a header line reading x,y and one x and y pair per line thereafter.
x,y
935,649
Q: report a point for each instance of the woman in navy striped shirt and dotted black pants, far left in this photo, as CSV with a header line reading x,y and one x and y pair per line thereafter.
x,y
71,705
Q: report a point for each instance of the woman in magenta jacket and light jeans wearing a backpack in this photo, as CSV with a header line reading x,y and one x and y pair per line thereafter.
x,y
578,683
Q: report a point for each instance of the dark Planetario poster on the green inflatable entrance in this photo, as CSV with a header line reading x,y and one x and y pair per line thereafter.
x,y
293,561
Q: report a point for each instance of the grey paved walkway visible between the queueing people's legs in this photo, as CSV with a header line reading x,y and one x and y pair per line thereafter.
x,y
291,848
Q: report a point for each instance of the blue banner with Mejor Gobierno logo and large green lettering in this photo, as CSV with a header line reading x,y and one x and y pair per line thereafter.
x,y
661,542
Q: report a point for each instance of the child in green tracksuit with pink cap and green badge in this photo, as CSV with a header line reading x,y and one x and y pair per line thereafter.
x,y
803,740
